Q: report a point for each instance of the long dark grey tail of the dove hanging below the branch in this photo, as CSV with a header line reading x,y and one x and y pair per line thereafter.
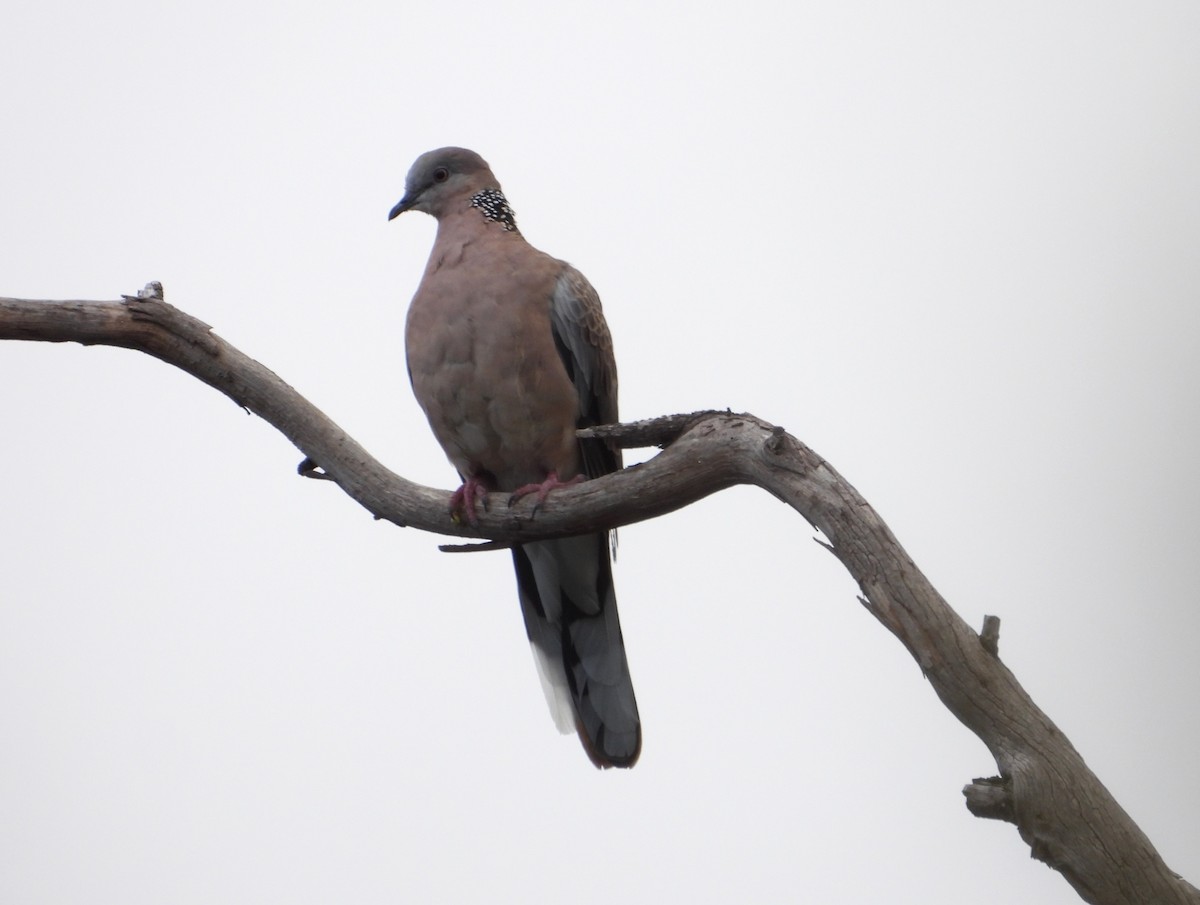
x,y
571,613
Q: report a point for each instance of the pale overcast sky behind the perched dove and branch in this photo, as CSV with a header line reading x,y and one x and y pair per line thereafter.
x,y
952,247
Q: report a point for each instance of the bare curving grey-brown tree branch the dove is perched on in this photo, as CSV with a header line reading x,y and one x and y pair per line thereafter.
x,y
1060,808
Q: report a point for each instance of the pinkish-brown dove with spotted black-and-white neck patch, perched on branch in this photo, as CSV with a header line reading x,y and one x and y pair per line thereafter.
x,y
508,355
